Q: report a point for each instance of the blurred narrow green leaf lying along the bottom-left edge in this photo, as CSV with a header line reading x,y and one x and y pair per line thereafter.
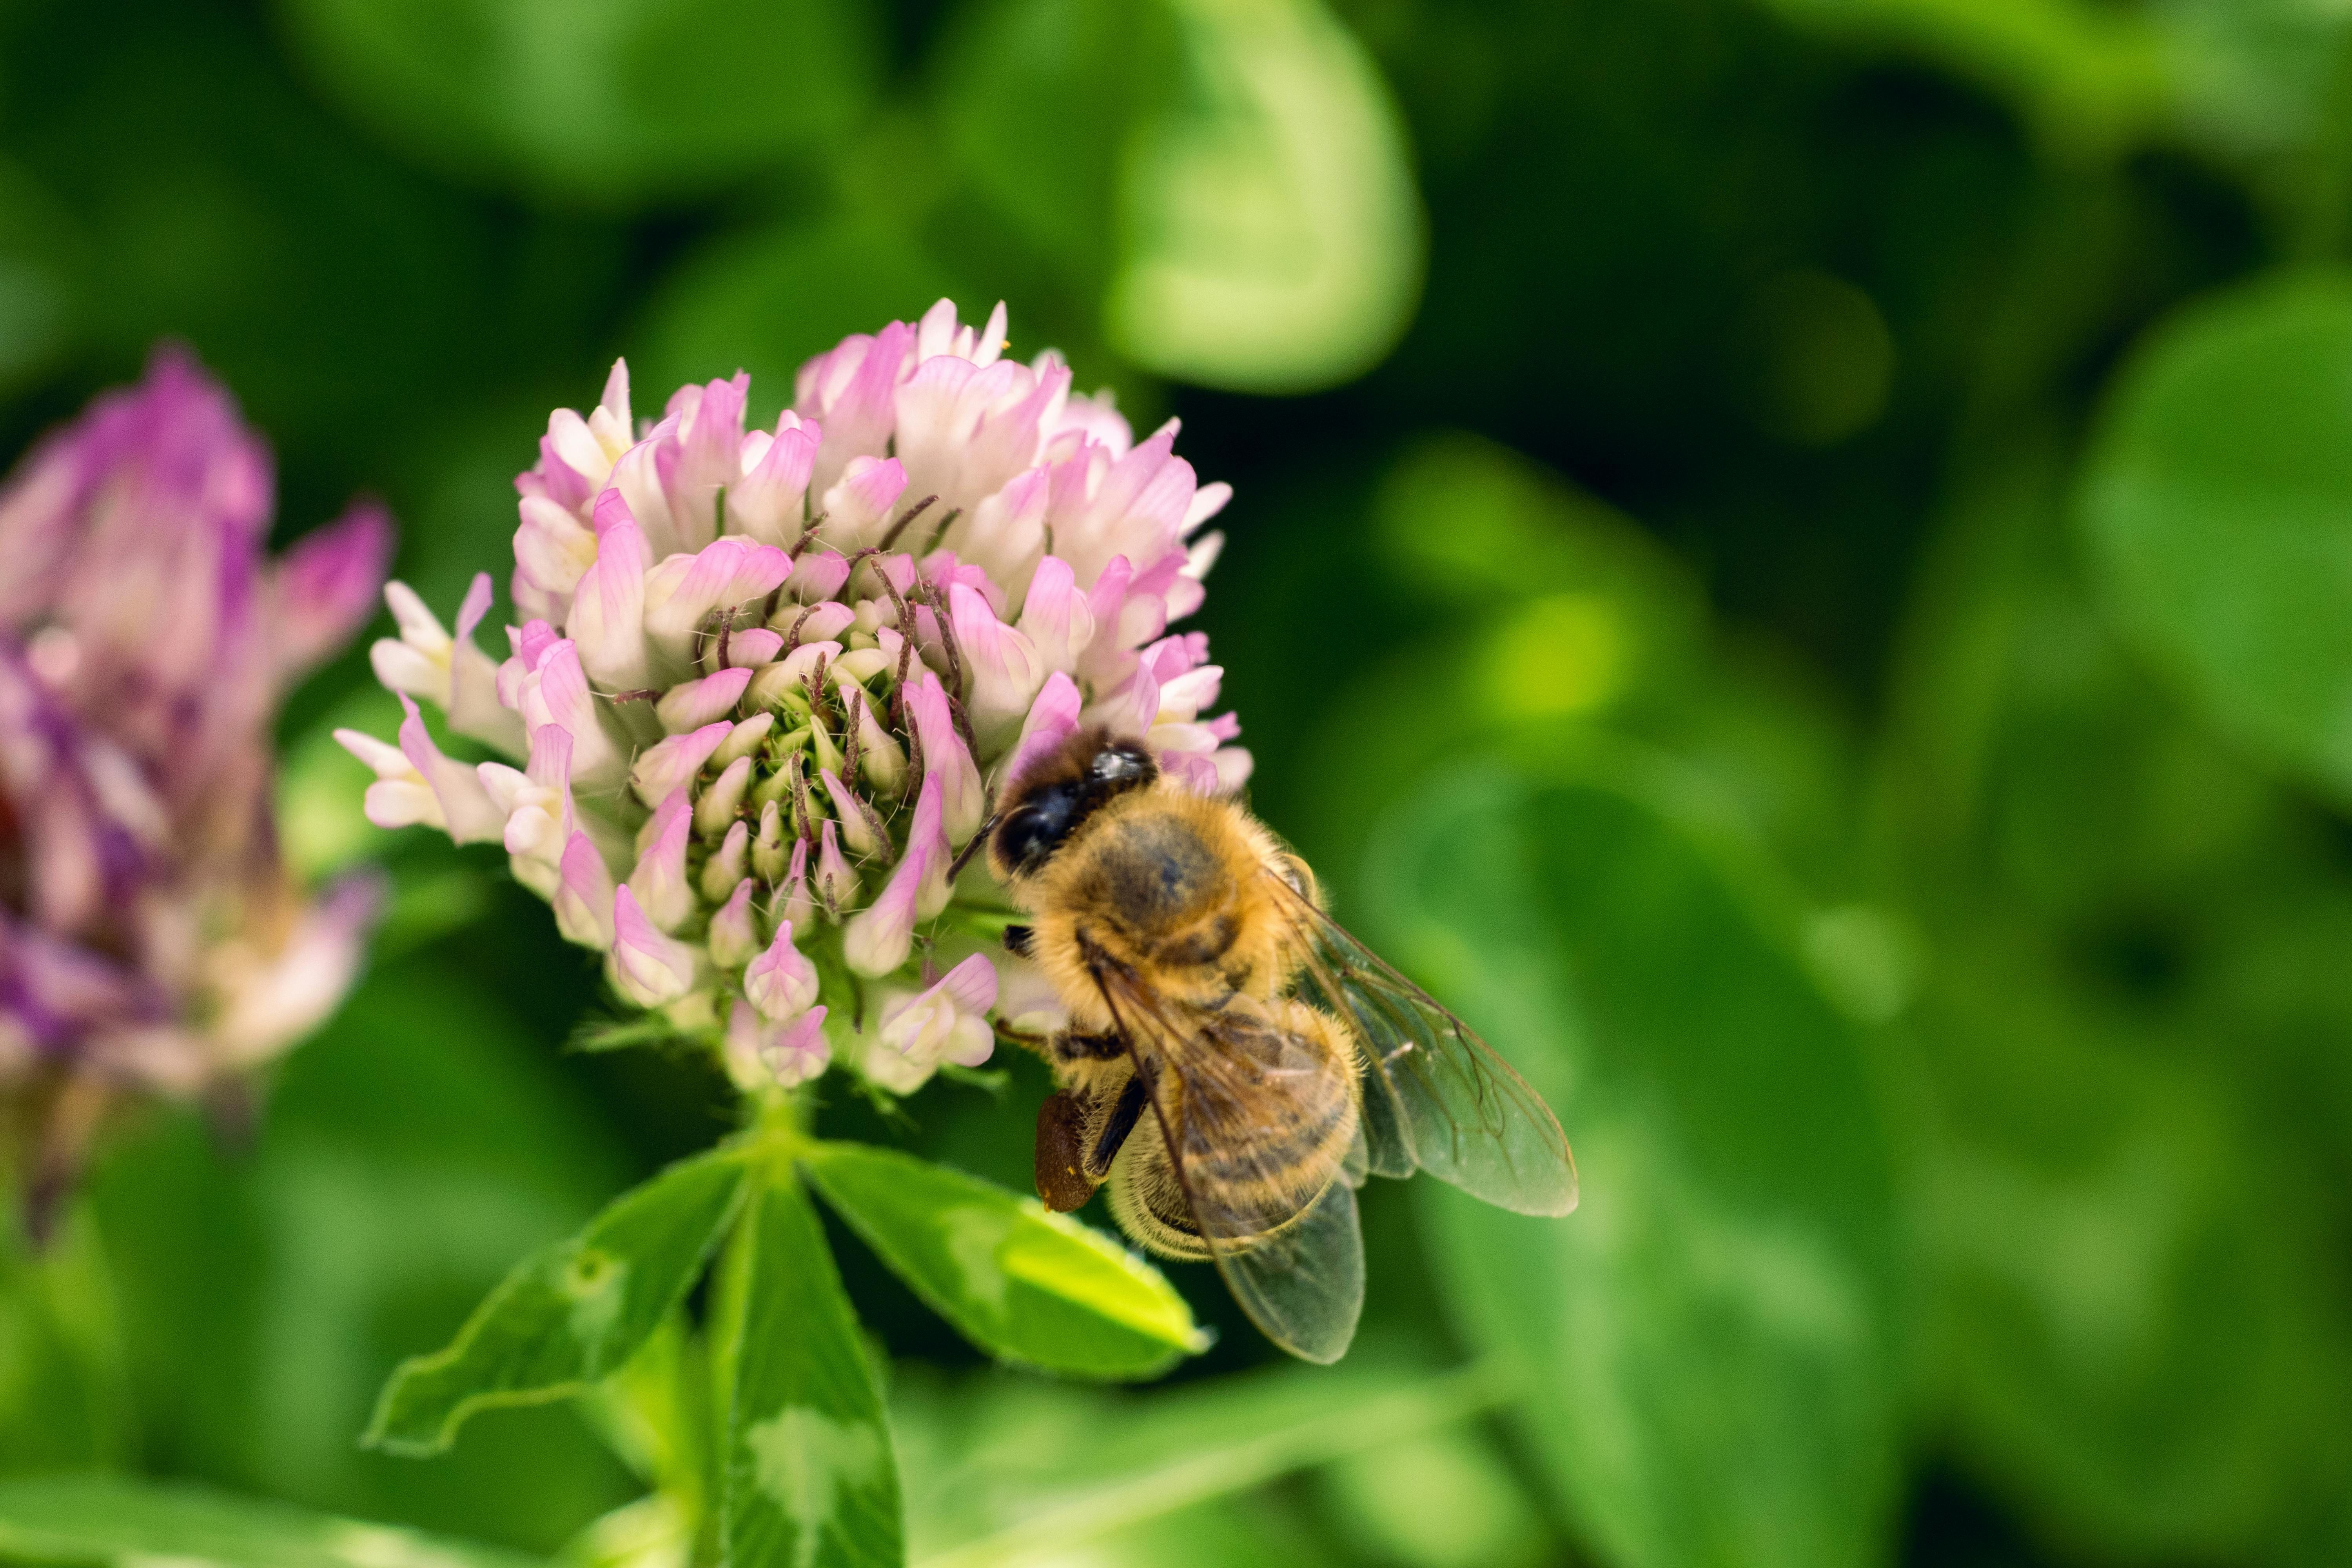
x,y
140,1525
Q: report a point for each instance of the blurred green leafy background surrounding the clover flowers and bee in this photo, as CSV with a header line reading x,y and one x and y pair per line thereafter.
x,y
1793,558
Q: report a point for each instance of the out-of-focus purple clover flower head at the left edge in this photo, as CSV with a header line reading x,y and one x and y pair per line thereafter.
x,y
152,942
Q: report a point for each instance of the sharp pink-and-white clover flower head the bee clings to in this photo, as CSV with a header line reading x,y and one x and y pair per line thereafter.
x,y
766,685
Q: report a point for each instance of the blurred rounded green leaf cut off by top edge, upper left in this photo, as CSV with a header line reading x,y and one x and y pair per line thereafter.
x,y
622,102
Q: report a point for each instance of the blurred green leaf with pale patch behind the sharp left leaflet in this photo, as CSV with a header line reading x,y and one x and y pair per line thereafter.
x,y
406,1160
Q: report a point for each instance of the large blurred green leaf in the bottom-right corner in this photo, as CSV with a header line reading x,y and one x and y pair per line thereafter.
x,y
2132,1313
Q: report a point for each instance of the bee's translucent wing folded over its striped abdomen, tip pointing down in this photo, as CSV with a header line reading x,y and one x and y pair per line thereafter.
x,y
1299,1273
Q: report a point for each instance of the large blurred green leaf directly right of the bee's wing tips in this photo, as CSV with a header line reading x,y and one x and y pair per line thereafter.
x,y
1723,1304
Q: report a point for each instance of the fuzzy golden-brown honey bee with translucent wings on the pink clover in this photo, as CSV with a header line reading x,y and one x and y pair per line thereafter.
x,y
1236,1064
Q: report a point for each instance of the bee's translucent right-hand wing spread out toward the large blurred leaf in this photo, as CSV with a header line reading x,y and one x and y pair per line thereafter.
x,y
1436,1097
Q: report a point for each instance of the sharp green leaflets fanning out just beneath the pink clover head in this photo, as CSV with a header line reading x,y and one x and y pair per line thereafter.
x,y
768,1430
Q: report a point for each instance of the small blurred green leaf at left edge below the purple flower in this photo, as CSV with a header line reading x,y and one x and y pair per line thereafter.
x,y
65,1393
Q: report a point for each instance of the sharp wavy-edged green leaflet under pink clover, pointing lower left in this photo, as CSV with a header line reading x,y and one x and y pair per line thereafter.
x,y
570,1315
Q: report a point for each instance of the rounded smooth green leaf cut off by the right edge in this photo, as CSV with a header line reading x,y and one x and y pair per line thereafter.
x,y
2219,514
